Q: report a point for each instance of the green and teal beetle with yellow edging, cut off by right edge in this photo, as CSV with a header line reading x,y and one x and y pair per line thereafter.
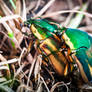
x,y
80,44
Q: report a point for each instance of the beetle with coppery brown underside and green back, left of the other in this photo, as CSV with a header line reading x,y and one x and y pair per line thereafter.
x,y
49,44
